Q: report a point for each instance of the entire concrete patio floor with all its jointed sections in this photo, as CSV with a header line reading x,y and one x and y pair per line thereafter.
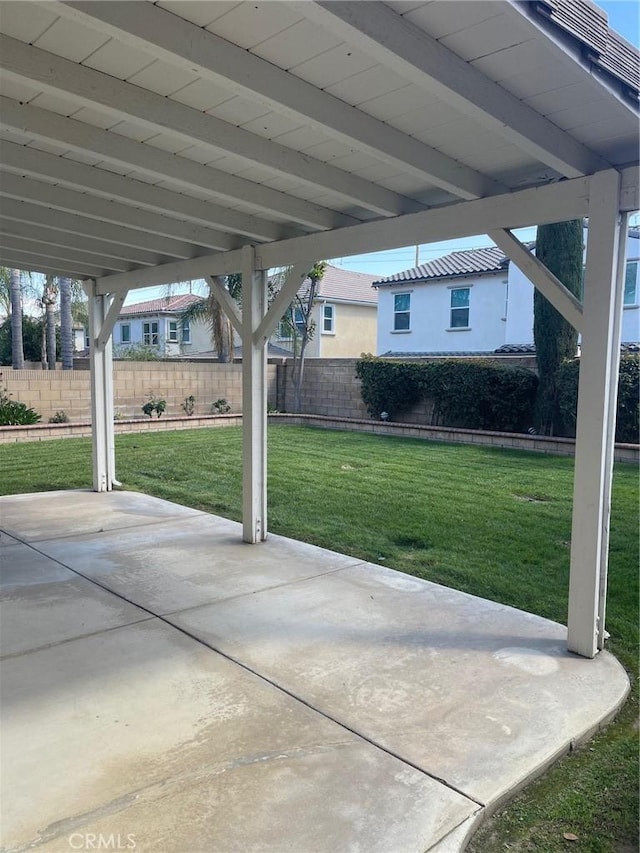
x,y
276,697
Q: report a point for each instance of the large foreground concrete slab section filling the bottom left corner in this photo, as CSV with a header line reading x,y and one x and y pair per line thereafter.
x,y
141,732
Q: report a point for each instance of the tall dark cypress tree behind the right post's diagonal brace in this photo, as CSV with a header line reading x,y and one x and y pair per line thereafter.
x,y
559,246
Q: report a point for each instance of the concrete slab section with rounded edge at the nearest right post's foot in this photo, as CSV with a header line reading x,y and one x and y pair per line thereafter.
x,y
475,693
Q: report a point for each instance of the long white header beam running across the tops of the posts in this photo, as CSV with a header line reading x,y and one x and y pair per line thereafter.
x,y
551,203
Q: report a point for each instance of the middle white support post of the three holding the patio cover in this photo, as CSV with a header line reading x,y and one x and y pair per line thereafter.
x,y
254,401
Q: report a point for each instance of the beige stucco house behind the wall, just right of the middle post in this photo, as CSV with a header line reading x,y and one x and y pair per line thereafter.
x,y
344,315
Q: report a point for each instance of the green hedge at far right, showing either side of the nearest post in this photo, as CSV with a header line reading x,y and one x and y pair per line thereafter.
x,y
628,419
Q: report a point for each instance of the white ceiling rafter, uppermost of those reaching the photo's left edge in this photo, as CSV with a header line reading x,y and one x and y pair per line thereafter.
x,y
95,89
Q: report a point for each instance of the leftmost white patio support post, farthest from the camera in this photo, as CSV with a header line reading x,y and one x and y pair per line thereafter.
x,y
103,312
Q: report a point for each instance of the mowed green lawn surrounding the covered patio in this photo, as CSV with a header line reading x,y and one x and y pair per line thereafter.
x,y
492,523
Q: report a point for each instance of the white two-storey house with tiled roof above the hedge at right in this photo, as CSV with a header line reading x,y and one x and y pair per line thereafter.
x,y
475,301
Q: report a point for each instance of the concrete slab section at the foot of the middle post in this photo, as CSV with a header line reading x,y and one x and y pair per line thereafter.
x,y
188,562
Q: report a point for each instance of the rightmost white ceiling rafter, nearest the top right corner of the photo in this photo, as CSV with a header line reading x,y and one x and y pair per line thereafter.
x,y
402,46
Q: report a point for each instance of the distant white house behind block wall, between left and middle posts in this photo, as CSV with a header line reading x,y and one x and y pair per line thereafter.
x,y
160,325
